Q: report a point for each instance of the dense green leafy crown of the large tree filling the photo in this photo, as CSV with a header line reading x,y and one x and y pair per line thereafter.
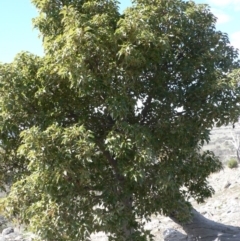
x,y
107,128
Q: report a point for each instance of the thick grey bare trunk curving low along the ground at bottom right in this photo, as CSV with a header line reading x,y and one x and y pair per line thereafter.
x,y
203,229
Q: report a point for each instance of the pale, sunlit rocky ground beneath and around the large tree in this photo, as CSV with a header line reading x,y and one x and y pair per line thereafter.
x,y
223,207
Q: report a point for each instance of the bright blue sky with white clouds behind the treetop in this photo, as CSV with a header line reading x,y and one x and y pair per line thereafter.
x,y
17,33
